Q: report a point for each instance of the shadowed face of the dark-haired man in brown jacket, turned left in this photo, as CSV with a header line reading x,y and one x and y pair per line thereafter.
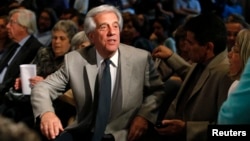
x,y
197,53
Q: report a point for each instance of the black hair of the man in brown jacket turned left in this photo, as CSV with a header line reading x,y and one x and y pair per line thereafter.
x,y
208,28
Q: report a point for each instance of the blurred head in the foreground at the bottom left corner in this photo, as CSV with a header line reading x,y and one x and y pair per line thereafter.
x,y
12,131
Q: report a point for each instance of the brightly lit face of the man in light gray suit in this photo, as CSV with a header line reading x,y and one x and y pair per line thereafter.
x,y
106,36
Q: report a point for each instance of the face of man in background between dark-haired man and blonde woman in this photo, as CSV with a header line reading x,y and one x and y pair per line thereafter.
x,y
232,31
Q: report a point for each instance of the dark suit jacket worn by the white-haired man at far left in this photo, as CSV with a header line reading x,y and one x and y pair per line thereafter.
x,y
24,56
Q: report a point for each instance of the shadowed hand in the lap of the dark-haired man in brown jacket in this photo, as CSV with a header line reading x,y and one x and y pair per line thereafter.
x,y
171,127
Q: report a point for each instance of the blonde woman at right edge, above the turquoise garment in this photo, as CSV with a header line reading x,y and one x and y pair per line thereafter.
x,y
238,56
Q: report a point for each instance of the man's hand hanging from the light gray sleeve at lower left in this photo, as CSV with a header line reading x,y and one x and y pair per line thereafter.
x,y
50,125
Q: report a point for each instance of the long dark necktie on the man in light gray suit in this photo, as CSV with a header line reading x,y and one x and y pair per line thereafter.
x,y
103,110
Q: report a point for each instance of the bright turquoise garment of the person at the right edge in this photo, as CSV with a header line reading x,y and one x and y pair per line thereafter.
x,y
235,110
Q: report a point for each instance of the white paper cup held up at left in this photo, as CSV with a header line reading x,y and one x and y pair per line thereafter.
x,y
27,71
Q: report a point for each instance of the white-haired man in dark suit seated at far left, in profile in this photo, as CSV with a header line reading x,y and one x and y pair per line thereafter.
x,y
21,26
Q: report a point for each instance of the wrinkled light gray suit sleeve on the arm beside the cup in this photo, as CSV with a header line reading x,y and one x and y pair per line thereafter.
x,y
46,91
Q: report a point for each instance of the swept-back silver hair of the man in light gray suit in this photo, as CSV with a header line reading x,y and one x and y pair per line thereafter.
x,y
89,23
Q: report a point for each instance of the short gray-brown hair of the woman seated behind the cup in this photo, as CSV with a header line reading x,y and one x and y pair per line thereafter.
x,y
67,26
